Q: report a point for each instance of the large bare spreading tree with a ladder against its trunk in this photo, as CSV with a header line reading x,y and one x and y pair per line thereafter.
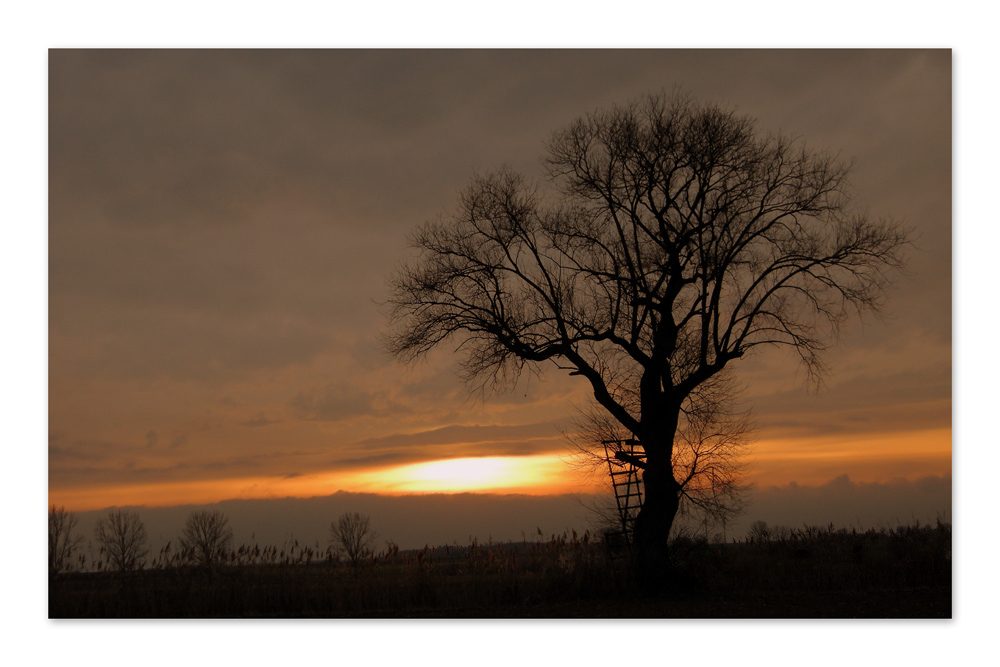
x,y
670,239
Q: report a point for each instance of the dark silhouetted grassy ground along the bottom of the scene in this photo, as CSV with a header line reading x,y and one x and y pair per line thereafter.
x,y
811,573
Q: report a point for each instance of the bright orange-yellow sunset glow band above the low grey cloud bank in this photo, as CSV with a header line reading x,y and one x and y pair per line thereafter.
x,y
774,462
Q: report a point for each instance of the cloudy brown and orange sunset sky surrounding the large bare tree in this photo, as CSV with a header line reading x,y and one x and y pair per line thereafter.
x,y
222,224
